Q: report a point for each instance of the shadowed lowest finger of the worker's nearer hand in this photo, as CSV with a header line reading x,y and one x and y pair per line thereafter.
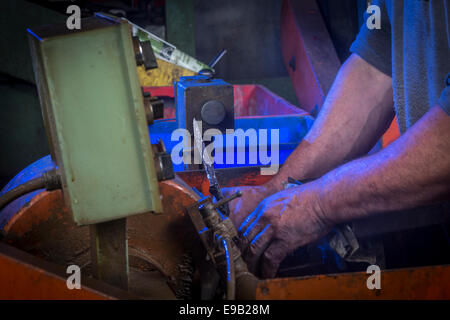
x,y
272,257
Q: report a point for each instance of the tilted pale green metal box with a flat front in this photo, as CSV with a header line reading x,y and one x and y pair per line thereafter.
x,y
94,113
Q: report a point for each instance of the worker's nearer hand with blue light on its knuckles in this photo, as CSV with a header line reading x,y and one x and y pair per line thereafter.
x,y
280,224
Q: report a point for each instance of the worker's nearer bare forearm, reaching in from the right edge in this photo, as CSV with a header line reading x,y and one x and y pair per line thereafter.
x,y
411,172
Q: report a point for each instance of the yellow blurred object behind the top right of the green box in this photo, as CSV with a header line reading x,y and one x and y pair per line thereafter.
x,y
165,75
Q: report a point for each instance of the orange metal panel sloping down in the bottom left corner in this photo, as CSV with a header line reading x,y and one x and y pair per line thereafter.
x,y
24,276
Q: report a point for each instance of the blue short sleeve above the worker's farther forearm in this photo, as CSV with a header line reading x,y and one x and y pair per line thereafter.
x,y
374,45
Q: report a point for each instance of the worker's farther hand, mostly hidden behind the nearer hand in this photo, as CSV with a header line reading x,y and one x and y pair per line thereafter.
x,y
241,207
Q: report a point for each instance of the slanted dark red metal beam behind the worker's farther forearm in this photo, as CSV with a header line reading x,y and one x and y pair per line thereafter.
x,y
308,52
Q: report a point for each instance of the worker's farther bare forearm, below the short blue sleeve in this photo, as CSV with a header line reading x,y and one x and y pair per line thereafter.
x,y
356,112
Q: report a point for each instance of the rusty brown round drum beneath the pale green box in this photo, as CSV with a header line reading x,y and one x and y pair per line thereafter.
x,y
45,229
